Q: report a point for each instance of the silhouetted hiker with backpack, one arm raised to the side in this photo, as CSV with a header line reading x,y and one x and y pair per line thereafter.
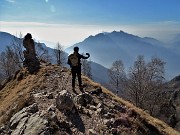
x,y
74,60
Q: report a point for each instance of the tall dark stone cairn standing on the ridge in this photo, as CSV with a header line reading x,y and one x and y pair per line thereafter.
x,y
31,61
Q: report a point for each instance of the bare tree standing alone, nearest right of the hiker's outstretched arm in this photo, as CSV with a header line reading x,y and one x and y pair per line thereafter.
x,y
117,75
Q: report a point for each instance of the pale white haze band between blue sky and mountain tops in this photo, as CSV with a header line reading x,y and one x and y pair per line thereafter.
x,y
68,34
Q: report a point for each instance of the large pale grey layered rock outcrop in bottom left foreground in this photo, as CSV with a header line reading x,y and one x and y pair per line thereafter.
x,y
28,121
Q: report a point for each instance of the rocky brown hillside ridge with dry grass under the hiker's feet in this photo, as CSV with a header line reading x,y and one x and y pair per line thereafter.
x,y
43,103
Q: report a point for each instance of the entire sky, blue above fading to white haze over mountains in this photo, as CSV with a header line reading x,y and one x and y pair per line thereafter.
x,y
71,21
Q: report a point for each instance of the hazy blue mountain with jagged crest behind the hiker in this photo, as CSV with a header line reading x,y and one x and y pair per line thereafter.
x,y
105,48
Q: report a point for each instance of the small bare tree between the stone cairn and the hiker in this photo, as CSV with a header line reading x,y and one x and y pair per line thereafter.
x,y
59,54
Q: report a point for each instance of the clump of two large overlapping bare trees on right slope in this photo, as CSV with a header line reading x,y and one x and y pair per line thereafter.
x,y
145,83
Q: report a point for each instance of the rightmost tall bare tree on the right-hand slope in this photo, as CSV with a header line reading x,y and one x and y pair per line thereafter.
x,y
155,85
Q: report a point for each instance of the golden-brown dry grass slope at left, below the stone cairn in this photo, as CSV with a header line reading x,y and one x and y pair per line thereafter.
x,y
16,94
